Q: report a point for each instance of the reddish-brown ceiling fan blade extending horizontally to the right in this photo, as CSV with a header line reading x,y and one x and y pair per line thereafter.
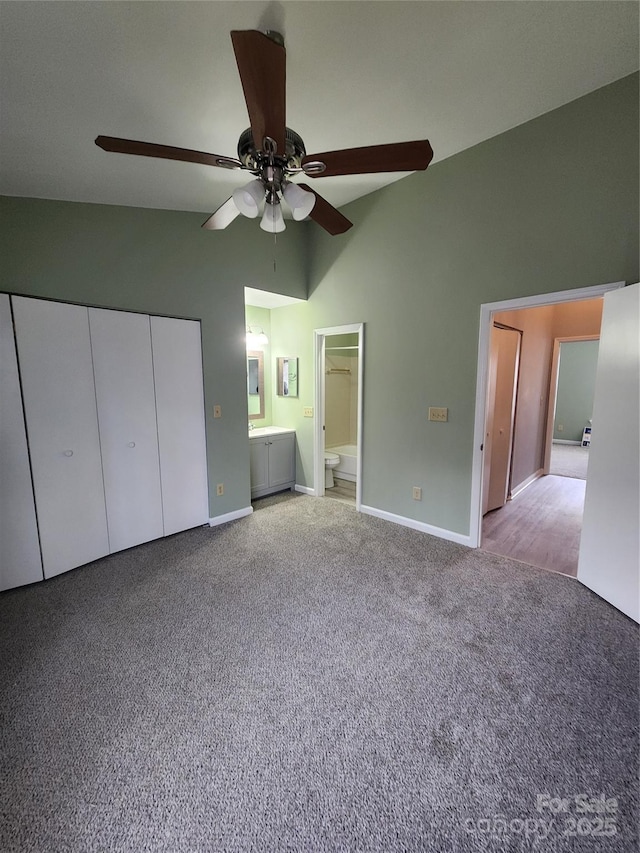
x,y
395,157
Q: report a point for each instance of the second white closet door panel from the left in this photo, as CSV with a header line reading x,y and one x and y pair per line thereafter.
x,y
54,352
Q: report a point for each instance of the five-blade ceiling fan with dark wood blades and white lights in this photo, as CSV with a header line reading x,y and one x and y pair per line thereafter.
x,y
273,153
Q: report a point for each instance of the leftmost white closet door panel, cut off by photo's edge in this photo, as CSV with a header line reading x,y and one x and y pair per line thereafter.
x,y
20,561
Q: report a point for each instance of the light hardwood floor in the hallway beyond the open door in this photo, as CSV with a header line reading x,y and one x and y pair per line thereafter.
x,y
541,526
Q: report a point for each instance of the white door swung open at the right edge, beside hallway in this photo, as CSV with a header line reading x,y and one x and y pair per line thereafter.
x,y
609,560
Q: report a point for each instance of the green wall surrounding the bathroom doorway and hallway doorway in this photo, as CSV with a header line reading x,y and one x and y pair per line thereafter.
x,y
551,205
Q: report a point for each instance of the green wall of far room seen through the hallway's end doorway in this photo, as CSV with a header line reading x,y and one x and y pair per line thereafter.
x,y
576,386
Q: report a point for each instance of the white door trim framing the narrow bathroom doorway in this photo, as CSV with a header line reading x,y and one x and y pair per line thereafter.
x,y
319,336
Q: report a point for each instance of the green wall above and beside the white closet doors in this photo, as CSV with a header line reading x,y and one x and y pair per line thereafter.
x,y
161,262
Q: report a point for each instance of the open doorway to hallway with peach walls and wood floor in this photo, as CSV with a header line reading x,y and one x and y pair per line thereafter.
x,y
540,520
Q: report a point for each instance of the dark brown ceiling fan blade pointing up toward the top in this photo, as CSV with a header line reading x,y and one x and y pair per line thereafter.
x,y
262,66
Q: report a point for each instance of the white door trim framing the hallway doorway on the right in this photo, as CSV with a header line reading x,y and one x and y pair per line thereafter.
x,y
487,310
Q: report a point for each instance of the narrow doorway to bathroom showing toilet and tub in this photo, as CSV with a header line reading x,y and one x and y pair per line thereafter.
x,y
339,358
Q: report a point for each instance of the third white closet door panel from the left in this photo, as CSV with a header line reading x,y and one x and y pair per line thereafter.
x,y
123,369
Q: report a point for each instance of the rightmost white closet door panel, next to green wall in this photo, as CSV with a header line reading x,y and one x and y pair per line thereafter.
x,y
177,366
